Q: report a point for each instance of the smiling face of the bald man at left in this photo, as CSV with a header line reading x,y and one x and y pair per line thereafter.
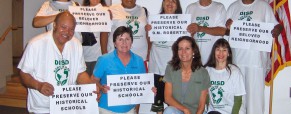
x,y
64,28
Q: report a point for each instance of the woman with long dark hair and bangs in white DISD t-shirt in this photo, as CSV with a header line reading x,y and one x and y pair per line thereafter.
x,y
227,85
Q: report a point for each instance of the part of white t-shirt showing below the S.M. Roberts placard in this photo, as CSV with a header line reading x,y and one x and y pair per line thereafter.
x,y
160,55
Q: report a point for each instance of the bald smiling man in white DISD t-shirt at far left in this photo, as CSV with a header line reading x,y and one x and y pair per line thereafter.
x,y
54,58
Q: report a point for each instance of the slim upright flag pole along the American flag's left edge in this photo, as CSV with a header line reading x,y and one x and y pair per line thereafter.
x,y
272,69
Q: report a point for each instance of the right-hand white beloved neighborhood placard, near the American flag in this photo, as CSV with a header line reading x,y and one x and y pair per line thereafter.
x,y
251,35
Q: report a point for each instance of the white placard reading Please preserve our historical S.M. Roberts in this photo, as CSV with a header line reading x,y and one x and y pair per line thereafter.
x,y
169,27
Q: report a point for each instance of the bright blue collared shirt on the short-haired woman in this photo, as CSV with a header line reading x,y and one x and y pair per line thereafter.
x,y
110,64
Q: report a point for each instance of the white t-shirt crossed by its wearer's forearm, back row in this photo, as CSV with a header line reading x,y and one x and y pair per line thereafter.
x,y
212,15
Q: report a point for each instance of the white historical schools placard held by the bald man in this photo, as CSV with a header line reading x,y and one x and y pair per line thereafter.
x,y
74,99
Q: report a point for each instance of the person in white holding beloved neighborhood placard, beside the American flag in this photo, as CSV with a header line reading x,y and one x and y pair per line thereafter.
x,y
253,64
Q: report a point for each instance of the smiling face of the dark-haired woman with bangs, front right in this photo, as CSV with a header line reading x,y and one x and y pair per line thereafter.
x,y
221,54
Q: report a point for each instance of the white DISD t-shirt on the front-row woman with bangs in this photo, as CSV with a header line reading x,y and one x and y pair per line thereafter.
x,y
224,87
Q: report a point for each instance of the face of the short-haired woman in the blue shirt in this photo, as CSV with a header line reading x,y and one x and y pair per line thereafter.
x,y
123,43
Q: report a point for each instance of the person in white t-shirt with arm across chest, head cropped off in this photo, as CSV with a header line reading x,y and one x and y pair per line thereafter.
x,y
208,24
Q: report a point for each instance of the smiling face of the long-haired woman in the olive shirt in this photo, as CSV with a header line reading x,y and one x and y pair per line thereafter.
x,y
185,51
